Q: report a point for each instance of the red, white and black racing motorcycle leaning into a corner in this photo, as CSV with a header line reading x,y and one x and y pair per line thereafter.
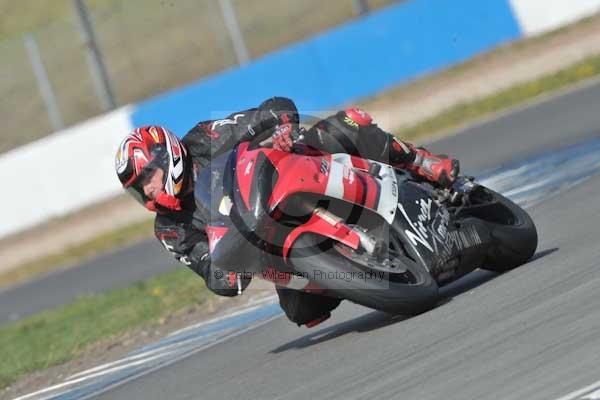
x,y
353,228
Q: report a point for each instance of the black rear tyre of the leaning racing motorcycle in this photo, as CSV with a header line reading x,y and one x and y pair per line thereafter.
x,y
513,234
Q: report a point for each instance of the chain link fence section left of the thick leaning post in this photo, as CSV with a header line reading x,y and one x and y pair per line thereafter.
x,y
22,110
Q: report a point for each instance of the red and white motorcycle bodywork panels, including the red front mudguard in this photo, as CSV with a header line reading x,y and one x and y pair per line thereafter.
x,y
338,176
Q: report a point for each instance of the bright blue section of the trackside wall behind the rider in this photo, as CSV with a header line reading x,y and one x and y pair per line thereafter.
x,y
357,59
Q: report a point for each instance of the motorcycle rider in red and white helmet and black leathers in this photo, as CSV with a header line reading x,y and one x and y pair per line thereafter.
x,y
159,171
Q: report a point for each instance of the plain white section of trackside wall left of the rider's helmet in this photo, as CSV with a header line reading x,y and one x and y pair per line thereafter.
x,y
62,172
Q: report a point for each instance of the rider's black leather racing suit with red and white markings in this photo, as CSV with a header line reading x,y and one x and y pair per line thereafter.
x,y
182,232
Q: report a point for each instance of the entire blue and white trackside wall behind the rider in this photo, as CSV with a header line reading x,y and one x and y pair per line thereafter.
x,y
74,168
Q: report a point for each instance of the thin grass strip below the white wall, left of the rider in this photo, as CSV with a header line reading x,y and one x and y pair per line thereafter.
x,y
78,253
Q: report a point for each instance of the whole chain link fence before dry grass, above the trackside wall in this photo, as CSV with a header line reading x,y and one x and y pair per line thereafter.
x,y
148,47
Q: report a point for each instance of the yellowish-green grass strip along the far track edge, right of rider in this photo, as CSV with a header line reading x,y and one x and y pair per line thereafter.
x,y
466,112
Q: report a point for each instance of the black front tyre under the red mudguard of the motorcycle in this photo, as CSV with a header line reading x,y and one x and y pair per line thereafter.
x,y
314,257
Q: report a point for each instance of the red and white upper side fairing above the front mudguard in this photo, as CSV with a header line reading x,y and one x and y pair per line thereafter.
x,y
338,176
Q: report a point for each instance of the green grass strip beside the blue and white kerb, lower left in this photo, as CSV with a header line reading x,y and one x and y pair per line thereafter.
x,y
59,335
